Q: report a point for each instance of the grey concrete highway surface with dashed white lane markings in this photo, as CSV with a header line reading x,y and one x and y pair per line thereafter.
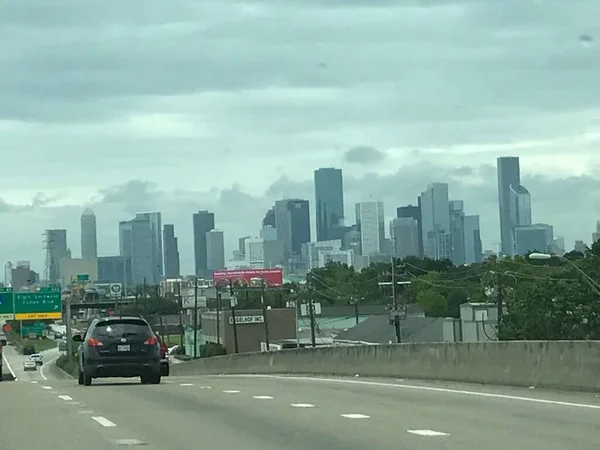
x,y
292,413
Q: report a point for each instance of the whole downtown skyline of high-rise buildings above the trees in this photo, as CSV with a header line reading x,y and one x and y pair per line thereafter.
x,y
435,226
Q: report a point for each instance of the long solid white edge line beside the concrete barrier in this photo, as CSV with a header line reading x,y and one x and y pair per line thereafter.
x,y
427,388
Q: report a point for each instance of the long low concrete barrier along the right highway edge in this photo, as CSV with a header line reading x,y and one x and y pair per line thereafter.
x,y
568,365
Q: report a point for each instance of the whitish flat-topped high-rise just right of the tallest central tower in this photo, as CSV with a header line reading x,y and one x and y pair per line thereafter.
x,y
371,227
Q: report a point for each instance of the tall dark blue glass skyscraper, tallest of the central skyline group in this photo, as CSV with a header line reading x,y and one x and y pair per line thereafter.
x,y
329,201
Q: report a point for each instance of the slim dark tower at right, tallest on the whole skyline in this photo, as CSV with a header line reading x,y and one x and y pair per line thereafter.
x,y
509,174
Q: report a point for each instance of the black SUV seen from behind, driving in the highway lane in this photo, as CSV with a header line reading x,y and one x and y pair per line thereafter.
x,y
119,347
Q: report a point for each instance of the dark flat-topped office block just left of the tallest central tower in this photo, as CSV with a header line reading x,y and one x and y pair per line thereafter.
x,y
292,222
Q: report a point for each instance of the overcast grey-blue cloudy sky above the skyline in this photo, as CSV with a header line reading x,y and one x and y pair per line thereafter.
x,y
137,105
